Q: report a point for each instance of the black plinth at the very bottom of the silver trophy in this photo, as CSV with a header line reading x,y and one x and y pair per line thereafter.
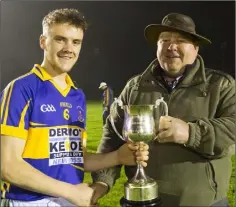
x,y
151,203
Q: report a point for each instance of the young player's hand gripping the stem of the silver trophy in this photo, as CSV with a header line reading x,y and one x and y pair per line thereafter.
x,y
130,153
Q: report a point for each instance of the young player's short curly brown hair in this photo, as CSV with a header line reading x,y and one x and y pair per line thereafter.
x,y
65,15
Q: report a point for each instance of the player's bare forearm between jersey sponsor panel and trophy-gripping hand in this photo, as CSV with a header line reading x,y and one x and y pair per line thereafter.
x,y
99,161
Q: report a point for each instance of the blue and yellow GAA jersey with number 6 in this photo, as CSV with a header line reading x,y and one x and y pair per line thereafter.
x,y
51,121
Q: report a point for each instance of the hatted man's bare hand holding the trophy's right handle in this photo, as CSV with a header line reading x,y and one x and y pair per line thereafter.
x,y
173,130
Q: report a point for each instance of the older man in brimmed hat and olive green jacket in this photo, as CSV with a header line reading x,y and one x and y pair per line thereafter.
x,y
191,155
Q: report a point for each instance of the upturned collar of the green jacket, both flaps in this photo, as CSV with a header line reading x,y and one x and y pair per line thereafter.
x,y
193,75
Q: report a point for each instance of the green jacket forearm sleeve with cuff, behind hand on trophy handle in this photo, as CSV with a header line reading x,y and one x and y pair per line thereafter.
x,y
212,138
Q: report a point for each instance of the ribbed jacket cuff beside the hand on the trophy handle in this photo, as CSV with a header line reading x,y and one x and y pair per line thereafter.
x,y
194,136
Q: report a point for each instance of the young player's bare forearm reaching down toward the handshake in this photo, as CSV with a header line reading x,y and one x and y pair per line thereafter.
x,y
25,176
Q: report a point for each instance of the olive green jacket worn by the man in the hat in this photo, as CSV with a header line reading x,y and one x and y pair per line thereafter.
x,y
198,173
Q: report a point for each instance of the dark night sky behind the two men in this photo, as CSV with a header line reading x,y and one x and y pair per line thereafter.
x,y
114,48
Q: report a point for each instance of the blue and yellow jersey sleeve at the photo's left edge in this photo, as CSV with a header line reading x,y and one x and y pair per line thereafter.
x,y
16,106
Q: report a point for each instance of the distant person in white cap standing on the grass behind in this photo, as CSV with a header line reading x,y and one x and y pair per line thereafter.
x,y
107,97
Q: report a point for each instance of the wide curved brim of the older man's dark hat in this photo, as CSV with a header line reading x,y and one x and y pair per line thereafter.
x,y
153,31
